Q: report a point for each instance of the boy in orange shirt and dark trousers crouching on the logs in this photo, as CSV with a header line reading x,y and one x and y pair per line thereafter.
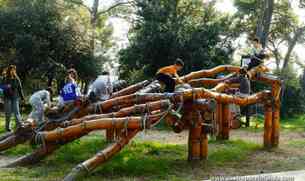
x,y
166,75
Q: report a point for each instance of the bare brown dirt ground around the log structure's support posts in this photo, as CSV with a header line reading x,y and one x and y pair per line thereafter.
x,y
287,157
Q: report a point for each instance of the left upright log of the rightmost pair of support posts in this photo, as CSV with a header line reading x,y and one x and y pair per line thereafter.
x,y
268,126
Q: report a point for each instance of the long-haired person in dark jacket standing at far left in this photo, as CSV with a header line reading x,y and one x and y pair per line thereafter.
x,y
12,94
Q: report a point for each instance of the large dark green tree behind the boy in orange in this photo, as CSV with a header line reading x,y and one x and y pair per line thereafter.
x,y
167,29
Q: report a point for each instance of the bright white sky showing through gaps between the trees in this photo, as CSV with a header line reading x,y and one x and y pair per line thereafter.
x,y
121,27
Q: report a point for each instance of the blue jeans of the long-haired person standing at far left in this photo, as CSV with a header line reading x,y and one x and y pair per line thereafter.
x,y
11,105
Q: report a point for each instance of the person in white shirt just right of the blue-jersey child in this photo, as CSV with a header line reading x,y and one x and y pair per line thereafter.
x,y
101,89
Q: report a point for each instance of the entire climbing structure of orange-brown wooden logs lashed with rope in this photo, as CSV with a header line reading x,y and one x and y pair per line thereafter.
x,y
202,107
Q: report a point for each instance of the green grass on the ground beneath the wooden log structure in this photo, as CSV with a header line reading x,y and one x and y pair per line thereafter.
x,y
150,160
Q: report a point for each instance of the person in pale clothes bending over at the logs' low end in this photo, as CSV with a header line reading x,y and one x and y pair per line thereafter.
x,y
38,101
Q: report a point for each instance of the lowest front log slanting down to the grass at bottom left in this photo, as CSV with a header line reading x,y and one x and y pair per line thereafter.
x,y
89,165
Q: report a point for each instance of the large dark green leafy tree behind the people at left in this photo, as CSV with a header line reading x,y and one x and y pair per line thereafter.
x,y
35,36
